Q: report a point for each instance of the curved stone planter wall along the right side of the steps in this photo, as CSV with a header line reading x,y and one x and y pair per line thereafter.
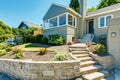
x,y
106,61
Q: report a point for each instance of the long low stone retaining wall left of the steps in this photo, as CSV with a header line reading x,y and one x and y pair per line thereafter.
x,y
30,70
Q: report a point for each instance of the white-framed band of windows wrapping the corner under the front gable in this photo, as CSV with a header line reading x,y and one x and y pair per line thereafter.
x,y
60,20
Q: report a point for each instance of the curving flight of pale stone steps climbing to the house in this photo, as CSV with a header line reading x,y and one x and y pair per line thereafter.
x,y
89,68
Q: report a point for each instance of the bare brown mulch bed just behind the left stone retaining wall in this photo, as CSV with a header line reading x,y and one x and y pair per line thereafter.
x,y
32,55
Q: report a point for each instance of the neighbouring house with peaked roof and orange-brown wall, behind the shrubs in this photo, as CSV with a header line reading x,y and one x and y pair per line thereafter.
x,y
26,25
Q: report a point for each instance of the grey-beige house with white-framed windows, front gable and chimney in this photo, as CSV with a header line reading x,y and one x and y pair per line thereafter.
x,y
71,25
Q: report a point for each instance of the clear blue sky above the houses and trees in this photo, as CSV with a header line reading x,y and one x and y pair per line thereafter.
x,y
12,12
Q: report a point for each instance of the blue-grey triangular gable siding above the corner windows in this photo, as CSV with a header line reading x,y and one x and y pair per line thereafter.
x,y
54,11
